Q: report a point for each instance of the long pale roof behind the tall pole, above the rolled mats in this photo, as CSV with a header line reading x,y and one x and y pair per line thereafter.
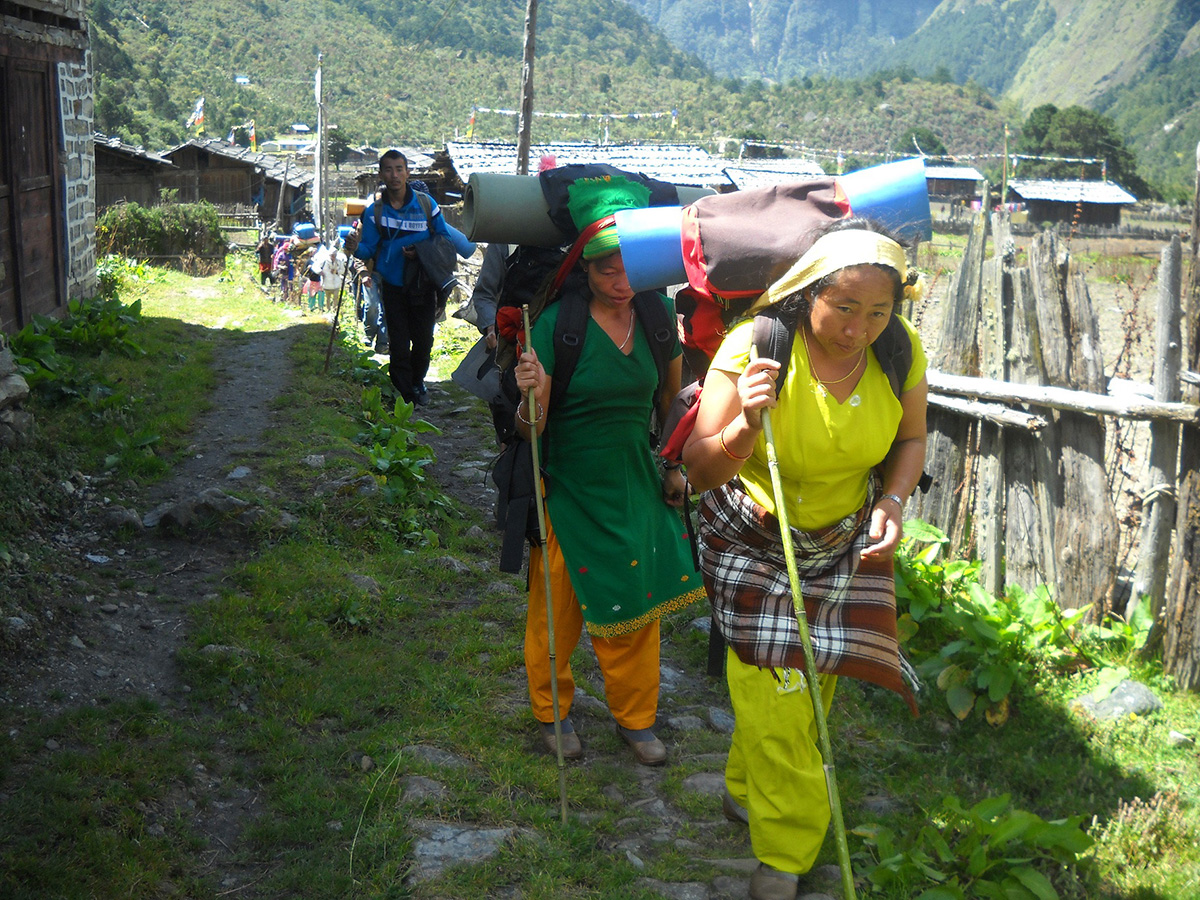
x,y
676,164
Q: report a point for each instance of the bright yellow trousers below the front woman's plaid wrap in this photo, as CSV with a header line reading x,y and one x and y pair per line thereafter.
x,y
775,770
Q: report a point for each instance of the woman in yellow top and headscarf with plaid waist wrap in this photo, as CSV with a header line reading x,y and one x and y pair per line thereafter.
x,y
851,449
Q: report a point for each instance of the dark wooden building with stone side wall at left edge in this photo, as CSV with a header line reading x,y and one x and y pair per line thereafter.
x,y
47,208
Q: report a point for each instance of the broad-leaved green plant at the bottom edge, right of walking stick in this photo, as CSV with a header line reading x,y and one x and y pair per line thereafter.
x,y
991,851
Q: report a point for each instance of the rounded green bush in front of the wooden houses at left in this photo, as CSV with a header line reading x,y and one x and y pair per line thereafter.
x,y
173,230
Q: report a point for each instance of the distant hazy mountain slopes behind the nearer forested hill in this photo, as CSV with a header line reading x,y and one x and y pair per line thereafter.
x,y
1136,63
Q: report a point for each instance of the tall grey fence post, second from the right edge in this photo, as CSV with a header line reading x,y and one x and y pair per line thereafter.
x,y
1150,577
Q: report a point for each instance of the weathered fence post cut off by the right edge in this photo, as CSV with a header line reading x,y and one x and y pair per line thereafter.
x,y
1181,643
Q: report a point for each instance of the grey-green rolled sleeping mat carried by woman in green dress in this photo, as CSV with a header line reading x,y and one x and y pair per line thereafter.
x,y
512,209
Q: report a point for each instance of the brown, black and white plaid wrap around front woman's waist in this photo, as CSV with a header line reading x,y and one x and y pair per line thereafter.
x,y
850,603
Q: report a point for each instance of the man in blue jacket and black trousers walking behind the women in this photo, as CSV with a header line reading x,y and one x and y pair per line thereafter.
x,y
410,298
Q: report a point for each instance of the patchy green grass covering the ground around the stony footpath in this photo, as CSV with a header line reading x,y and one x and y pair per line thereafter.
x,y
322,673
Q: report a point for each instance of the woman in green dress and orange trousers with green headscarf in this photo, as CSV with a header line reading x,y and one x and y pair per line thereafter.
x,y
617,549
